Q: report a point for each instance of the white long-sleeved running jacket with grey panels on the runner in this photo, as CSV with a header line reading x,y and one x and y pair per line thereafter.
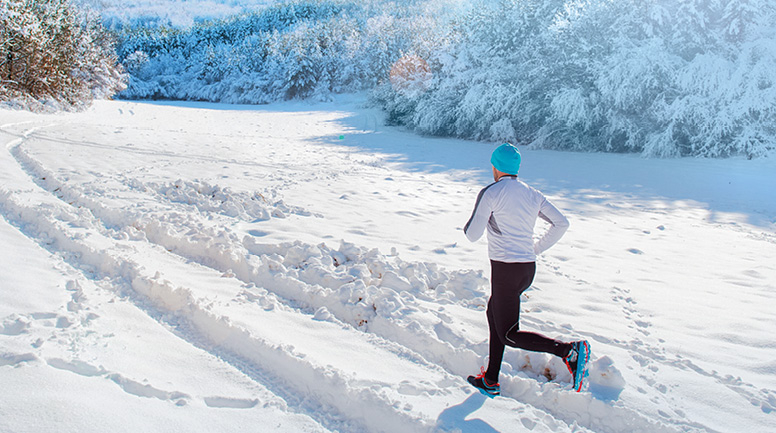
x,y
509,208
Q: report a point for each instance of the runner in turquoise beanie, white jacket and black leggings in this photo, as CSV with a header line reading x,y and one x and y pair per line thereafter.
x,y
508,208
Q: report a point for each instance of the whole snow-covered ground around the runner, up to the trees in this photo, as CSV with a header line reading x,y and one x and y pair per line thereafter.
x,y
294,267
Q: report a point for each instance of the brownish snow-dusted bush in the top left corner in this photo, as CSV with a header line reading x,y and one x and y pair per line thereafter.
x,y
51,51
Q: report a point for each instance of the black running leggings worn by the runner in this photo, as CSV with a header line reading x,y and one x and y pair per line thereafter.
x,y
508,281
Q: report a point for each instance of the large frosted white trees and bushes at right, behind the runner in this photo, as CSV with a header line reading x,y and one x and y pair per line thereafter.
x,y
688,77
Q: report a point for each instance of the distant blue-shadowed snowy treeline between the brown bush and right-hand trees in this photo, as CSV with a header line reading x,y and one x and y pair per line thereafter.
x,y
298,49
